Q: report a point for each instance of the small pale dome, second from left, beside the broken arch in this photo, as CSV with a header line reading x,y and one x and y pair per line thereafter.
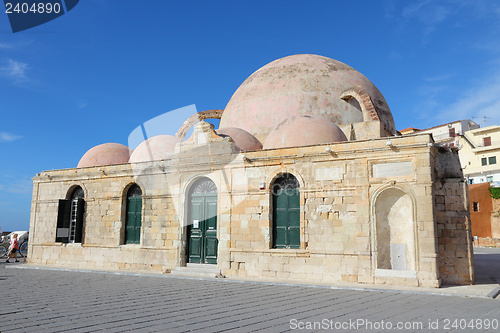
x,y
158,147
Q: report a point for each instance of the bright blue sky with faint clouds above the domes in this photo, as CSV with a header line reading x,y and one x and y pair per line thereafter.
x,y
96,73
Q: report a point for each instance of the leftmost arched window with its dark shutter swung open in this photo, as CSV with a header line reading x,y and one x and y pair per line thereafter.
x,y
70,217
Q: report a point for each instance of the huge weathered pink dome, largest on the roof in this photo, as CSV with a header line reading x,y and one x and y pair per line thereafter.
x,y
303,84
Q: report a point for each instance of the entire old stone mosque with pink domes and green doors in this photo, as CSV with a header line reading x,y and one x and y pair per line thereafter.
x,y
306,179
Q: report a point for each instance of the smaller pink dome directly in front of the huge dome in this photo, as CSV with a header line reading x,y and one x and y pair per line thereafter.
x,y
304,130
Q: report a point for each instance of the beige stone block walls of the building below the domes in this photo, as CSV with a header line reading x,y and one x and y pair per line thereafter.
x,y
345,194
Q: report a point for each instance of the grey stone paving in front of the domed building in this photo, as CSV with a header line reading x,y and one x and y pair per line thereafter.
x,y
36,300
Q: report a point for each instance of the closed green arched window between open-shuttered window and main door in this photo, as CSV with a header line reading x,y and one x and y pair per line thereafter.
x,y
133,218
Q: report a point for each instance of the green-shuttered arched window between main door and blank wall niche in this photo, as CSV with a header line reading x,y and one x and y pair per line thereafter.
x,y
286,212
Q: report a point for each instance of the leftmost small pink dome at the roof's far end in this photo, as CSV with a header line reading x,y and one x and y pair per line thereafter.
x,y
105,154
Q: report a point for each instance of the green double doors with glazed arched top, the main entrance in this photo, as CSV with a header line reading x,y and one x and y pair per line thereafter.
x,y
202,222
